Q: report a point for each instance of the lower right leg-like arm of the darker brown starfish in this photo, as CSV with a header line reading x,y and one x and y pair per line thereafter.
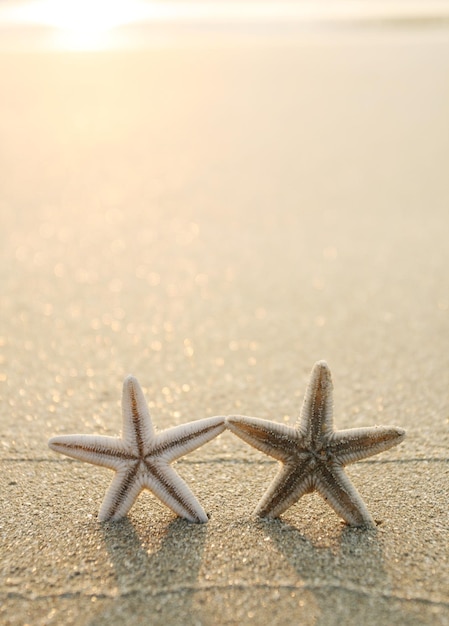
x,y
340,493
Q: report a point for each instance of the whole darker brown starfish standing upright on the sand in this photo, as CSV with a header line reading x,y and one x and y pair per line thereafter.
x,y
313,454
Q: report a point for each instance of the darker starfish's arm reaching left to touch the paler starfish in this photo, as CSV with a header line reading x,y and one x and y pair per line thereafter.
x,y
276,440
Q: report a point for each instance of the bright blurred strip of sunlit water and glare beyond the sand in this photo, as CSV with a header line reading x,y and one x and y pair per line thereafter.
x,y
49,24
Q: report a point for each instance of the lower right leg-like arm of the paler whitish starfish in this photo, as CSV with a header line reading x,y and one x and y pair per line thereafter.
x,y
171,489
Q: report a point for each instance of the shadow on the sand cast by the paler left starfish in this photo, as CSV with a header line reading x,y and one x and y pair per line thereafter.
x,y
156,577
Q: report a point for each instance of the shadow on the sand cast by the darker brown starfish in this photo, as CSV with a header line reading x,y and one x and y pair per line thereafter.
x,y
342,578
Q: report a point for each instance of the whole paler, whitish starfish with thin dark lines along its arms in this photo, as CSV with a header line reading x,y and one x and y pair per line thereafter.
x,y
141,457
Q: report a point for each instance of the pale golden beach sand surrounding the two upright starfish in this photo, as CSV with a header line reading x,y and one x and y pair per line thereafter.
x,y
215,220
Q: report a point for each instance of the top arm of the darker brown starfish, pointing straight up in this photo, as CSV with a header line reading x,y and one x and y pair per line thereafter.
x,y
317,409
